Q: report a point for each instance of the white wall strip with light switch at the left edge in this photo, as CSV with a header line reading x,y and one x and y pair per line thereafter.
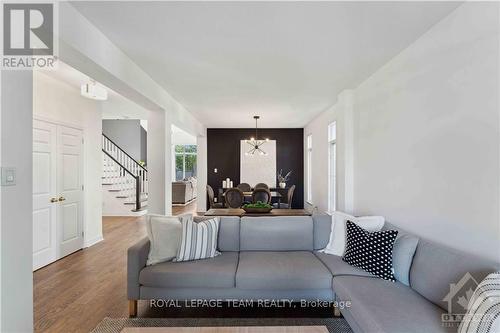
x,y
16,269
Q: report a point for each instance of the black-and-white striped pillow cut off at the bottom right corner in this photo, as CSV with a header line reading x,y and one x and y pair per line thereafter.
x,y
483,312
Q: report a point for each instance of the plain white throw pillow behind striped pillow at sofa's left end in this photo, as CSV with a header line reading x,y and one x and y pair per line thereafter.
x,y
164,233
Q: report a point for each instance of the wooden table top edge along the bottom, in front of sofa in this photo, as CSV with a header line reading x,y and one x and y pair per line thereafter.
x,y
249,329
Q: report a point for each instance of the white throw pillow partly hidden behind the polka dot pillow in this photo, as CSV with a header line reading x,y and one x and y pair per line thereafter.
x,y
336,245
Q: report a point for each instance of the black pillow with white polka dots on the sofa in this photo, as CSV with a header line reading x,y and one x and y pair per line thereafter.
x,y
370,251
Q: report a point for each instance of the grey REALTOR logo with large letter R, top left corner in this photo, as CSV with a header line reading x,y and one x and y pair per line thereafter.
x,y
28,35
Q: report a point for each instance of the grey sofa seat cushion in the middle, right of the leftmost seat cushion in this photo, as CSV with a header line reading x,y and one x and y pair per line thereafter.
x,y
282,270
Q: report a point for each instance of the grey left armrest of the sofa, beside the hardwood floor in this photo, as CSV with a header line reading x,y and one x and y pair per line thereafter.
x,y
137,257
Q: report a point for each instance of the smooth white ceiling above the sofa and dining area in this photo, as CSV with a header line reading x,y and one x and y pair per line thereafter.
x,y
285,61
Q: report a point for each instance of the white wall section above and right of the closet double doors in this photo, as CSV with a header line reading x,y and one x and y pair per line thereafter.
x,y
58,101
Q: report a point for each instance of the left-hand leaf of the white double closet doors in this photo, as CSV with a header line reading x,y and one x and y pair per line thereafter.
x,y
44,194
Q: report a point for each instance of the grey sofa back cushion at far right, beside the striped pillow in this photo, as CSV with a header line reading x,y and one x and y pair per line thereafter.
x,y
436,266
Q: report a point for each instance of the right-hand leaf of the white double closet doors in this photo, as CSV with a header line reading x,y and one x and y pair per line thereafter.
x,y
70,191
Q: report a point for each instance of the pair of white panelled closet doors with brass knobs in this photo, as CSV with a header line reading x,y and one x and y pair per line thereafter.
x,y
57,192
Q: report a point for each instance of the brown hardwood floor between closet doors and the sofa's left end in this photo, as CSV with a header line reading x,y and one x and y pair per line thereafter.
x,y
75,293
